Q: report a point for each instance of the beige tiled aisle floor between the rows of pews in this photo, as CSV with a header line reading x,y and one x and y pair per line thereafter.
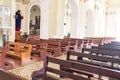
x,y
26,71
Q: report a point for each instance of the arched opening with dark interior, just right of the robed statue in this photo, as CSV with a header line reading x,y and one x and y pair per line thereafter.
x,y
34,22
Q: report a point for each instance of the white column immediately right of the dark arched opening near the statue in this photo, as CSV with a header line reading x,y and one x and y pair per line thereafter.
x,y
44,19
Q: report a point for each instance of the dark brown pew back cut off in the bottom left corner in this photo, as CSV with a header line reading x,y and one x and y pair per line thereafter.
x,y
5,75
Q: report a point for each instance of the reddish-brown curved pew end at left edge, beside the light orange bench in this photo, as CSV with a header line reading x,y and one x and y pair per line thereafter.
x,y
4,64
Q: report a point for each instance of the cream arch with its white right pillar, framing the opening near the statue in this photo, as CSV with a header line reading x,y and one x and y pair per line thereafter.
x,y
44,6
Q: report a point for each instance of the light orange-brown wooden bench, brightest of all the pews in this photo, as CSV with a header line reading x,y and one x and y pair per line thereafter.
x,y
19,50
